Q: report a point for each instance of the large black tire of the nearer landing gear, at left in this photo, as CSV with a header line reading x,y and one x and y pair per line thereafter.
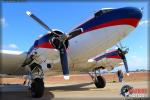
x,y
37,88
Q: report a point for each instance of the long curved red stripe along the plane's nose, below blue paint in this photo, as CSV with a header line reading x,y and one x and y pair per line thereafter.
x,y
124,21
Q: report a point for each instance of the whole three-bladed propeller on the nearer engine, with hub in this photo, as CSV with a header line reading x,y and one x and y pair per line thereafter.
x,y
61,40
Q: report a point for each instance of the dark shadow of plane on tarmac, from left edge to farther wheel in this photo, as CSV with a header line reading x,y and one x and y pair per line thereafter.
x,y
25,95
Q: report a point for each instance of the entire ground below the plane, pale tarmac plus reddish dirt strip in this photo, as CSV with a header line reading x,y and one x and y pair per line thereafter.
x,y
79,87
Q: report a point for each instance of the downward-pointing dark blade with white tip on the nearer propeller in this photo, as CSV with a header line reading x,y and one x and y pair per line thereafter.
x,y
64,63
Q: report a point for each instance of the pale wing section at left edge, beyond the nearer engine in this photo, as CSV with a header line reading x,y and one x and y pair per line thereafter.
x,y
11,62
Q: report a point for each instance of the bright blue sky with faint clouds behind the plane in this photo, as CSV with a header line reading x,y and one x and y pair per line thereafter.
x,y
19,31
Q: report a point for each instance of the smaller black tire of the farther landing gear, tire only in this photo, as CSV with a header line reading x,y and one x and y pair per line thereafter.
x,y
100,82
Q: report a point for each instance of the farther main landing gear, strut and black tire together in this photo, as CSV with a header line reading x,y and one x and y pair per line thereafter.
x,y
98,80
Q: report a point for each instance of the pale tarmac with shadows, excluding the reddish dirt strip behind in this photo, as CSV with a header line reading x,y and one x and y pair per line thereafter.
x,y
70,91
